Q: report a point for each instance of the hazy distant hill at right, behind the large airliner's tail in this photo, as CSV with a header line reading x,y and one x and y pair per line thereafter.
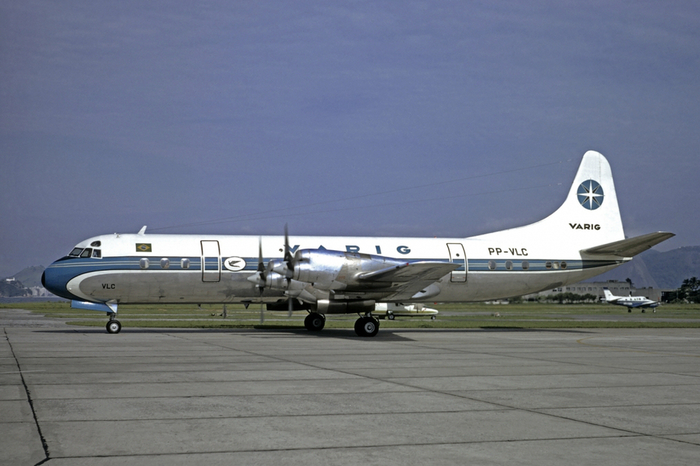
x,y
665,270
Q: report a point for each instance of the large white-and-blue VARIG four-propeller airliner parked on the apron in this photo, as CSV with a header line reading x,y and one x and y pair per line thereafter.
x,y
325,275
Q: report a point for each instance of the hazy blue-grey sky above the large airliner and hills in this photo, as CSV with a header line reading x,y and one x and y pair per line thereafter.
x,y
376,118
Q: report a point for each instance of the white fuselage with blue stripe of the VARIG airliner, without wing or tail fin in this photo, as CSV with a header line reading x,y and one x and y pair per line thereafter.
x,y
215,269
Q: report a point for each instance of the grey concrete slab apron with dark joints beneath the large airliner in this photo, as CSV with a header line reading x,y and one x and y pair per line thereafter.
x,y
79,396
